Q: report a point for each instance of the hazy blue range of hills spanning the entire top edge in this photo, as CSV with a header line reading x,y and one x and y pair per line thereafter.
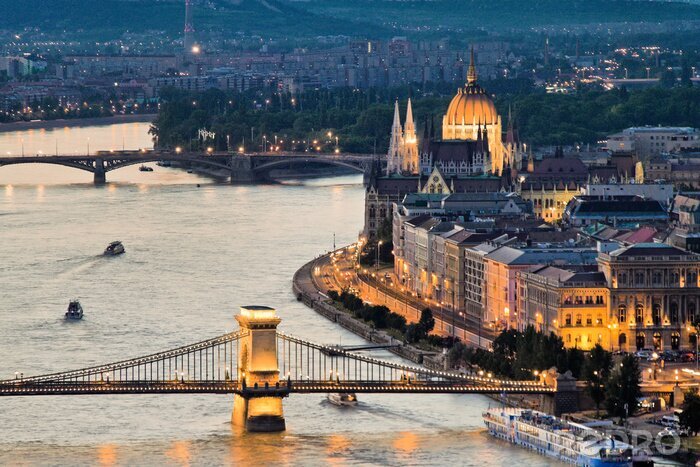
x,y
310,18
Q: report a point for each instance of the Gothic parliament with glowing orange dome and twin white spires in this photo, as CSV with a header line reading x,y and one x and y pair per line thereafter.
x,y
472,155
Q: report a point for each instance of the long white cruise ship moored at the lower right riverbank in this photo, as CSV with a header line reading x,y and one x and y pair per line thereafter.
x,y
550,436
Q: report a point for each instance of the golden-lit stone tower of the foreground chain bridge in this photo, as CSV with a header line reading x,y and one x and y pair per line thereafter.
x,y
258,406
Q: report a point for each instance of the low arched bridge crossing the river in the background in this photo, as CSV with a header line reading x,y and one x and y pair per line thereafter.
x,y
242,168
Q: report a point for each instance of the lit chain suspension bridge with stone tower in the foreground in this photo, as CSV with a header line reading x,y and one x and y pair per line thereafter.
x,y
260,366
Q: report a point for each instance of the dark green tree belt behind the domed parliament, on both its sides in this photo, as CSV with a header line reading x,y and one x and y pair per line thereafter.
x,y
360,119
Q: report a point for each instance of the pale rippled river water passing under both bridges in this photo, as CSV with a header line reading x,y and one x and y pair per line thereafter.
x,y
194,255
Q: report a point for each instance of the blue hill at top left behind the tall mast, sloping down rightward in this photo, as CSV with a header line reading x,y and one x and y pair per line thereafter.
x,y
269,18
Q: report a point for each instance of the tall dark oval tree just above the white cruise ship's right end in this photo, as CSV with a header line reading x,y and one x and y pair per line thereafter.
x,y
623,391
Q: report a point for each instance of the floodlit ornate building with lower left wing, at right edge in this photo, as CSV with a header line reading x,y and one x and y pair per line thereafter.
x,y
641,296
